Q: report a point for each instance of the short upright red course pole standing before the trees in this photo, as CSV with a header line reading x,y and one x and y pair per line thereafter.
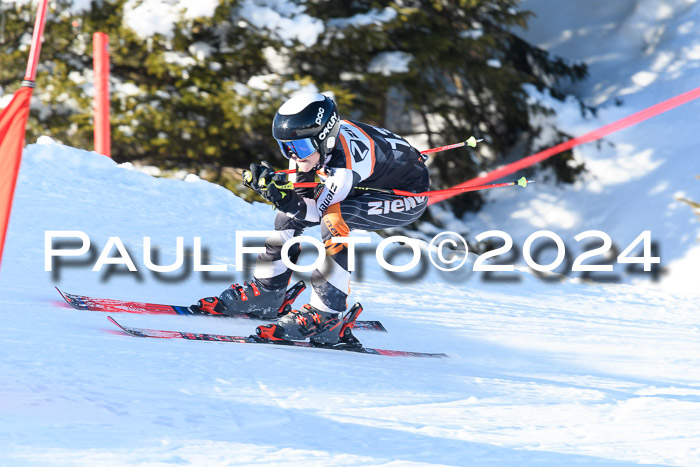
x,y
100,63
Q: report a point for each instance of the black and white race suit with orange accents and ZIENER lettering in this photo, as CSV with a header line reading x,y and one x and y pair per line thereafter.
x,y
364,157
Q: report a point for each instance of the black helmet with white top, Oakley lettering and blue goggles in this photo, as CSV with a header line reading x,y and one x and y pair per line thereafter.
x,y
307,121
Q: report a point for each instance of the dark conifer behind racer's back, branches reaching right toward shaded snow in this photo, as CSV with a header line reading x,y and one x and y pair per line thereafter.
x,y
461,71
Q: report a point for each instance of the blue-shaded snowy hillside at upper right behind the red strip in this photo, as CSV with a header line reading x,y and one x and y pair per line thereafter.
x,y
639,53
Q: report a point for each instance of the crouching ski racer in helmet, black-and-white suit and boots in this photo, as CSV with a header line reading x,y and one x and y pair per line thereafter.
x,y
347,156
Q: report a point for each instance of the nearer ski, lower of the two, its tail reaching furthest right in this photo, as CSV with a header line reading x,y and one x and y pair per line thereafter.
x,y
162,334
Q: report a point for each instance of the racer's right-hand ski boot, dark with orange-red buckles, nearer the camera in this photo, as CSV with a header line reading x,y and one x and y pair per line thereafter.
x,y
324,329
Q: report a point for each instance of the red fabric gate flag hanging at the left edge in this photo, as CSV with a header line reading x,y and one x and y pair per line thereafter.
x,y
13,123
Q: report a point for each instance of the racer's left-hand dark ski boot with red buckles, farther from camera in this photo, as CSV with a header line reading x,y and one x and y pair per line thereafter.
x,y
250,300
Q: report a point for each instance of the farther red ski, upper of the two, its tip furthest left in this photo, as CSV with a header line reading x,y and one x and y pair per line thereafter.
x,y
81,302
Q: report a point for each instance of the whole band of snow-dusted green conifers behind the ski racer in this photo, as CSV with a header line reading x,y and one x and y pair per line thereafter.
x,y
204,92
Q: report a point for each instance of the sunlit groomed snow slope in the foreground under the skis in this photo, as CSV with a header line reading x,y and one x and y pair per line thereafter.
x,y
537,373
